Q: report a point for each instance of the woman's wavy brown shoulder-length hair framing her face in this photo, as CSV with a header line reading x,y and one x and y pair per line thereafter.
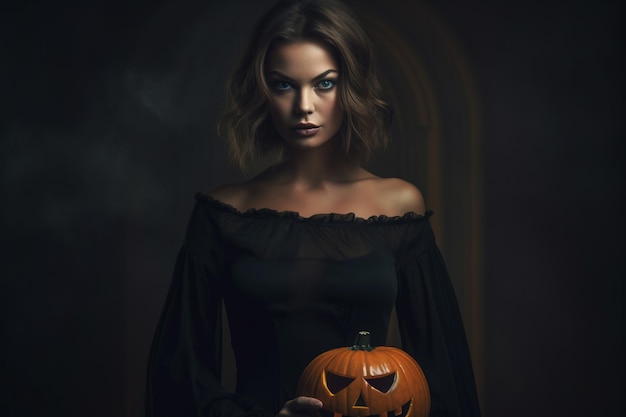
x,y
246,122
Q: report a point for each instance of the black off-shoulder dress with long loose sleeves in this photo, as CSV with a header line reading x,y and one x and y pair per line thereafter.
x,y
293,288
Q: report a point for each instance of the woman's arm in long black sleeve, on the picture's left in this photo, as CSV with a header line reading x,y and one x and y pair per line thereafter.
x,y
184,366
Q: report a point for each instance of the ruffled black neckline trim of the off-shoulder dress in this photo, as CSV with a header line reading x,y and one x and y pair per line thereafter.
x,y
316,218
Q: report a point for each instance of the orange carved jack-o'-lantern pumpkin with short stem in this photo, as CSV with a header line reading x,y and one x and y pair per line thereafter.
x,y
361,381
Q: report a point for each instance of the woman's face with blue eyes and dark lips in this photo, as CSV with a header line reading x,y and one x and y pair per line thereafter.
x,y
304,105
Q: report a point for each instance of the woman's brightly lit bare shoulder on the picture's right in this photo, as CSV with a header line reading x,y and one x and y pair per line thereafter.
x,y
400,196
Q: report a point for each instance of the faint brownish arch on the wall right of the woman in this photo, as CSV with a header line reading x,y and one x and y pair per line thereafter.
x,y
437,135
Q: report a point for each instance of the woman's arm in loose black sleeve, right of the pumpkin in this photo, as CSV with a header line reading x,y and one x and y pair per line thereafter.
x,y
432,330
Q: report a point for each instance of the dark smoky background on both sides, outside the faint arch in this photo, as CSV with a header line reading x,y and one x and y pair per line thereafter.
x,y
107,113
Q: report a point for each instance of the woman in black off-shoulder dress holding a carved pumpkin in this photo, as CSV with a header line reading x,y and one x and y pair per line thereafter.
x,y
313,249
